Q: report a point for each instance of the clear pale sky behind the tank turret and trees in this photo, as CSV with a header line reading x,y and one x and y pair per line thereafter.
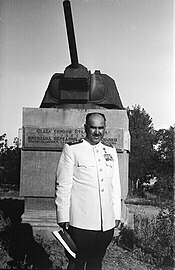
x,y
129,40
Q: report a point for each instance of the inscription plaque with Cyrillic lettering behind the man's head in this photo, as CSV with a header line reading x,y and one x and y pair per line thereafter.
x,y
54,138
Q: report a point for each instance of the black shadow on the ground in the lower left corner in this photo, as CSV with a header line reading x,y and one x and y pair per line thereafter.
x,y
22,247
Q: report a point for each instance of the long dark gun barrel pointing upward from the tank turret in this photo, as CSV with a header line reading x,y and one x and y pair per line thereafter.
x,y
70,33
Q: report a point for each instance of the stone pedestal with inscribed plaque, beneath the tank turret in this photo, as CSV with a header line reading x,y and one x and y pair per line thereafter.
x,y
45,131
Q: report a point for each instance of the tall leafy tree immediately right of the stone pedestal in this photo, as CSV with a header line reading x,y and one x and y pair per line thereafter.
x,y
142,145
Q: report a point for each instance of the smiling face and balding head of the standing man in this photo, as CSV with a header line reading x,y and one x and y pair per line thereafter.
x,y
95,128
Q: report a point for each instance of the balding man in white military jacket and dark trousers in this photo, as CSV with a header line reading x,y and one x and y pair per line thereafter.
x,y
88,194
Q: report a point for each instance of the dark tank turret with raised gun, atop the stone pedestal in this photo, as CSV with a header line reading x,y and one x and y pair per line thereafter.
x,y
77,85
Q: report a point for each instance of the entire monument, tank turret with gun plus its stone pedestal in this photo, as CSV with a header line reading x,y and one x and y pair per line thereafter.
x,y
60,118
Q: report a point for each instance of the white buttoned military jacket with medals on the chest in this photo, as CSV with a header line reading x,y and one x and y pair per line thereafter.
x,y
88,193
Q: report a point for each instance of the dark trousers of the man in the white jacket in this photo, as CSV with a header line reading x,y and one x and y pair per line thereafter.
x,y
91,248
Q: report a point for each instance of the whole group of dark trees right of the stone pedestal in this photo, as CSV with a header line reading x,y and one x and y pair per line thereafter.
x,y
151,154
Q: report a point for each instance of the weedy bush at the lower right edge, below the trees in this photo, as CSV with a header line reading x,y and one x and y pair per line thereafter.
x,y
152,239
